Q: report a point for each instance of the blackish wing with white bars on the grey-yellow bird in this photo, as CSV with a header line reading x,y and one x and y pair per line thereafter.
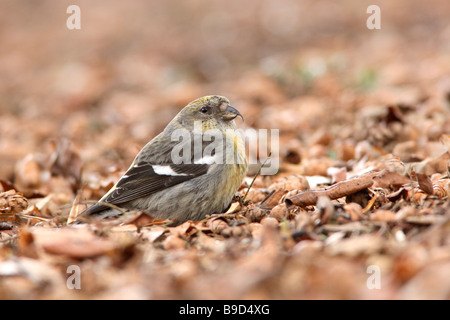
x,y
144,179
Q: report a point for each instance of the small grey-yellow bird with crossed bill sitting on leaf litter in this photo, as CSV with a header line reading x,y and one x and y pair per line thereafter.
x,y
183,174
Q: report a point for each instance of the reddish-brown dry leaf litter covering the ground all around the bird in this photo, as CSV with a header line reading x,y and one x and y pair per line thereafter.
x,y
363,186
